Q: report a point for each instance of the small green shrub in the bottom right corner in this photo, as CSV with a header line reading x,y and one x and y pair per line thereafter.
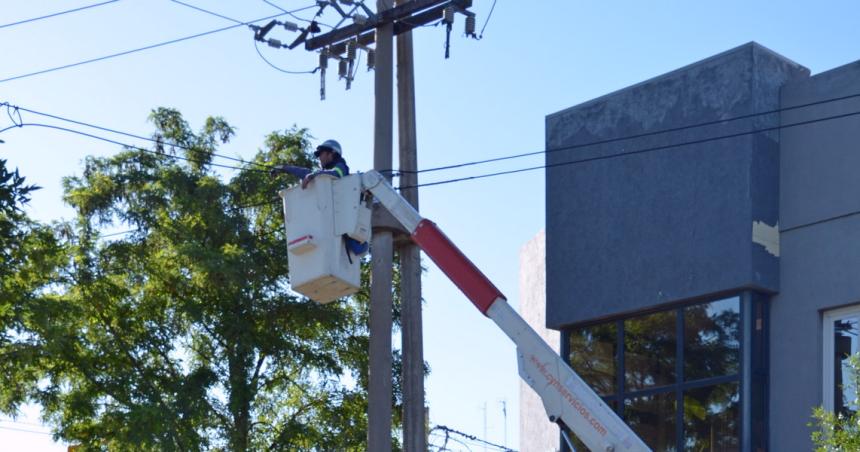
x,y
840,430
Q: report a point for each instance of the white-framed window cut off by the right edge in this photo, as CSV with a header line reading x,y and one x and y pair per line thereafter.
x,y
841,330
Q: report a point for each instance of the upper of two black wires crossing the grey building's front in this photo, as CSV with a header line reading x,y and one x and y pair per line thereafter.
x,y
636,136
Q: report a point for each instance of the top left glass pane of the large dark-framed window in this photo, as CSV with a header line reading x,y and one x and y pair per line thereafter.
x,y
592,356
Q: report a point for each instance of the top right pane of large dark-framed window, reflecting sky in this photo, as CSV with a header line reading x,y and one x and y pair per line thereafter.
x,y
712,339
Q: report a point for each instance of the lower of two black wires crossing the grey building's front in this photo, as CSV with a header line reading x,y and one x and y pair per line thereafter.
x,y
638,151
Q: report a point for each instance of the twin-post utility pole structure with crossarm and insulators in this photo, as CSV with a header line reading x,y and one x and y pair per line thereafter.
x,y
341,44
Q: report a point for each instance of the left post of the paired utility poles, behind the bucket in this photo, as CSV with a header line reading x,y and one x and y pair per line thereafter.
x,y
379,403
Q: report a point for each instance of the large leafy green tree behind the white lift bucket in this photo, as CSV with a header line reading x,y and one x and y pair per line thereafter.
x,y
183,334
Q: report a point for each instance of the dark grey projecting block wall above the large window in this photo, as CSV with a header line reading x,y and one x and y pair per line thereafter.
x,y
633,232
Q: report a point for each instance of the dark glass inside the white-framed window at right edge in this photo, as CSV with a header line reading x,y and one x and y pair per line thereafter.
x,y
845,343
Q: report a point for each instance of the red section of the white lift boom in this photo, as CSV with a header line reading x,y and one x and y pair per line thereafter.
x,y
456,265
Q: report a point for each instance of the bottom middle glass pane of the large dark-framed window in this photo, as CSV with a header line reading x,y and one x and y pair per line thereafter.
x,y
653,419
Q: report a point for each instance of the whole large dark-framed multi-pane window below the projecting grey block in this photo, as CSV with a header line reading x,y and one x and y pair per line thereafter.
x,y
674,376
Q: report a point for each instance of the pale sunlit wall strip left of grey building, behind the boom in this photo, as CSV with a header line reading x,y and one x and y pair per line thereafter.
x,y
537,433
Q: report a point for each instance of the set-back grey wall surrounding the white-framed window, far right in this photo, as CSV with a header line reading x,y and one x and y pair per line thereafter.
x,y
819,243
